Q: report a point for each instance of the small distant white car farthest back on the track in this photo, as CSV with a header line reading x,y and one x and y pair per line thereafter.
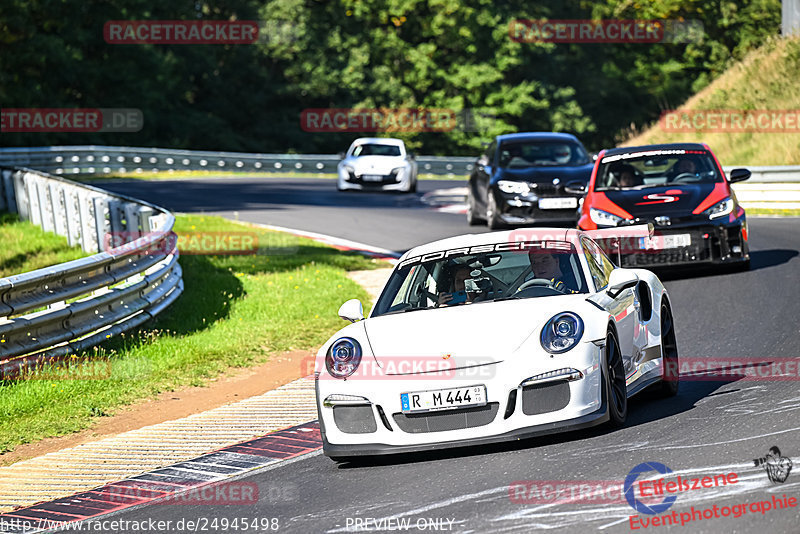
x,y
377,163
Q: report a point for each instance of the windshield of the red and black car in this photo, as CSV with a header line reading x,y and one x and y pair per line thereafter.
x,y
656,168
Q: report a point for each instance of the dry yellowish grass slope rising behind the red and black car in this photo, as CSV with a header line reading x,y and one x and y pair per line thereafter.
x,y
762,81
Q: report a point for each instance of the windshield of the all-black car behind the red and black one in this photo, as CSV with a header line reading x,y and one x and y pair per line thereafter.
x,y
521,154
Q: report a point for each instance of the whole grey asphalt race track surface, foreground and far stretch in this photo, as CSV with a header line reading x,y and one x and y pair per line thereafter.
x,y
710,428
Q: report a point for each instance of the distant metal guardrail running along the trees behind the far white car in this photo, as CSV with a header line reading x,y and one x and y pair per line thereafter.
x,y
77,160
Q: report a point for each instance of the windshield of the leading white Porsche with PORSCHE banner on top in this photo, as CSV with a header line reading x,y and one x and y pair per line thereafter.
x,y
458,278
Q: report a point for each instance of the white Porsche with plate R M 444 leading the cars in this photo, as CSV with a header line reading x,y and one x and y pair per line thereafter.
x,y
492,337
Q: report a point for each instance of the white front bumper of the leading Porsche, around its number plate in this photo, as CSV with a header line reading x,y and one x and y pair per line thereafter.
x,y
364,417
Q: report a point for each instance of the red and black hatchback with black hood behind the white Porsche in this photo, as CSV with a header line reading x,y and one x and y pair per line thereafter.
x,y
680,188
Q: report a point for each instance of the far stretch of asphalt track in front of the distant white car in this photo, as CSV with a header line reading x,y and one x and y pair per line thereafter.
x,y
393,221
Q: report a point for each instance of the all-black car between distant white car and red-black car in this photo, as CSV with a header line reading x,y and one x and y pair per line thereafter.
x,y
527,178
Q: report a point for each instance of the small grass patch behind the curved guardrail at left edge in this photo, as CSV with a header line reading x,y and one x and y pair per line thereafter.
x,y
25,247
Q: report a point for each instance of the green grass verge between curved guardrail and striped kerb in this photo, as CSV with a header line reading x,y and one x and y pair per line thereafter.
x,y
236,311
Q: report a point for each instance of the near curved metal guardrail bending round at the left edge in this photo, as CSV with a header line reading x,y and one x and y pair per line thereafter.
x,y
60,310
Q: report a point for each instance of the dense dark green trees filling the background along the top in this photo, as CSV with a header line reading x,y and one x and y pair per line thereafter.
x,y
361,53
